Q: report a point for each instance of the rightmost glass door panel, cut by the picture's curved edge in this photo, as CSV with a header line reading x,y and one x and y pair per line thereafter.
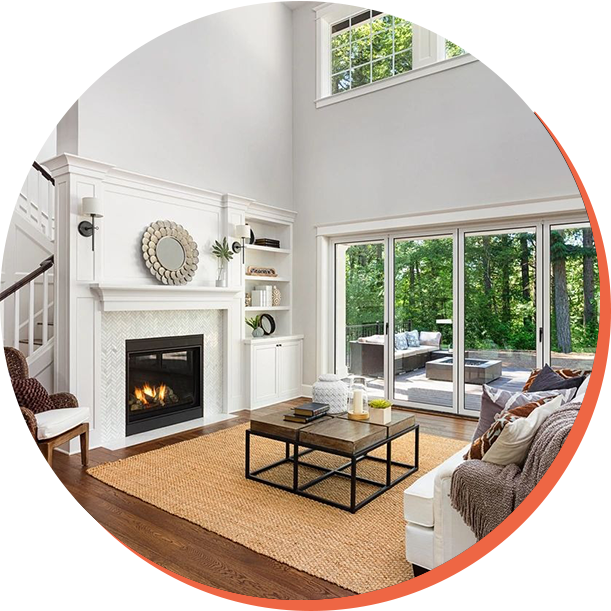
x,y
575,297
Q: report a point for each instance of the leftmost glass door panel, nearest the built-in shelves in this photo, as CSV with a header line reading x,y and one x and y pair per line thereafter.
x,y
360,327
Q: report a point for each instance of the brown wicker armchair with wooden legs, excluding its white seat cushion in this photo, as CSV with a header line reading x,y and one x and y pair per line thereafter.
x,y
17,367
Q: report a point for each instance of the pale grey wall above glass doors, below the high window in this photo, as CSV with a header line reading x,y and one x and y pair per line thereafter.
x,y
460,138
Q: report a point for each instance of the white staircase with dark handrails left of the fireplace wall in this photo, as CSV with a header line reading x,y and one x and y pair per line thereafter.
x,y
27,305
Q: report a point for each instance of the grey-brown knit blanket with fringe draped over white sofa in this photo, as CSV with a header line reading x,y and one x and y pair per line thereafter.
x,y
485,494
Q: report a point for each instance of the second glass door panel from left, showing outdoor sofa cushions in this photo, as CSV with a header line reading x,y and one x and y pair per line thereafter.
x,y
422,353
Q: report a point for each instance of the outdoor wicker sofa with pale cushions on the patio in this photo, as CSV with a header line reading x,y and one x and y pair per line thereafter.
x,y
367,355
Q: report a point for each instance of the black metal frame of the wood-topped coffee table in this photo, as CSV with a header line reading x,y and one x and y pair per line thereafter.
x,y
353,460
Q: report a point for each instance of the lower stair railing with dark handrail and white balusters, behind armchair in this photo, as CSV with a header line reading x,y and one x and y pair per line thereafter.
x,y
24,334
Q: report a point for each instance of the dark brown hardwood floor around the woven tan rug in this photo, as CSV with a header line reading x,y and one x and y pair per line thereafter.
x,y
191,551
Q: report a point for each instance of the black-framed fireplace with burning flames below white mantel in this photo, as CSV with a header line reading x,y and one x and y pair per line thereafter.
x,y
164,382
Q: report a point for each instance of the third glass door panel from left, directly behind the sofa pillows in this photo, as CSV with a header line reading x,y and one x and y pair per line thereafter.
x,y
500,312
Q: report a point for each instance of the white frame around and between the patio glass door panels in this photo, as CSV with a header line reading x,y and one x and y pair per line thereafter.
x,y
539,224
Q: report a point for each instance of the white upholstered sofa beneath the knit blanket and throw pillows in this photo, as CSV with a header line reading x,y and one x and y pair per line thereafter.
x,y
435,532
